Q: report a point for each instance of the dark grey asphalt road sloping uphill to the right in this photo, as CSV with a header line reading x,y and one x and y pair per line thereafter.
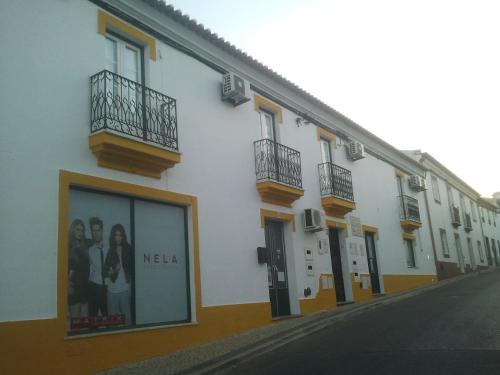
x,y
454,329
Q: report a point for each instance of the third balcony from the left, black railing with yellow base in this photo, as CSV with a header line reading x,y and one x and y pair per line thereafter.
x,y
335,185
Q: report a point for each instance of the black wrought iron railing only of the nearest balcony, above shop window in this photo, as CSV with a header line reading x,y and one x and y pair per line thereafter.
x,y
128,107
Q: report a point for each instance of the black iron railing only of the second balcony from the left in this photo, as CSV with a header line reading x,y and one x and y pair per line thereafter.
x,y
274,161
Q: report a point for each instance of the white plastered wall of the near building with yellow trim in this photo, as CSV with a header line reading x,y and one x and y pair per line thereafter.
x,y
45,108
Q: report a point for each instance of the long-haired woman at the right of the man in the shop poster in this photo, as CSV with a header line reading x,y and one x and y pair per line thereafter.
x,y
118,267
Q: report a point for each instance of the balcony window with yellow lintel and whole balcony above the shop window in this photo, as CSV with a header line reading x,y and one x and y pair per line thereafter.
x,y
133,128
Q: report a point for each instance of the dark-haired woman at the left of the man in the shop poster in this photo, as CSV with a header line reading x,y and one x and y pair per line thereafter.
x,y
79,268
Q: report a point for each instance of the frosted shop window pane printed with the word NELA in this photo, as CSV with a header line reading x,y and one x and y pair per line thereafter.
x,y
160,264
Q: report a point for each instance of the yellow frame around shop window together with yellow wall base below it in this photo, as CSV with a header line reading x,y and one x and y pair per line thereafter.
x,y
51,353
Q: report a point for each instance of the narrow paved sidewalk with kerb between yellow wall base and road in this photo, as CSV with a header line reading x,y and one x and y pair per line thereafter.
x,y
218,354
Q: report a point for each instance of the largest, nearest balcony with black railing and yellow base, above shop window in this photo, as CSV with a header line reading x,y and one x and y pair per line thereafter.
x,y
132,128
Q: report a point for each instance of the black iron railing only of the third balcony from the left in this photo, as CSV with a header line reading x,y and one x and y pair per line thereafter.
x,y
335,180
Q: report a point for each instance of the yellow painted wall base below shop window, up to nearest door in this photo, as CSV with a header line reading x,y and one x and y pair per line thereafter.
x,y
51,354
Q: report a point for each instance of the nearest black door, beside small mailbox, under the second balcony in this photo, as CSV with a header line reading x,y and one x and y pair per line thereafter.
x,y
276,269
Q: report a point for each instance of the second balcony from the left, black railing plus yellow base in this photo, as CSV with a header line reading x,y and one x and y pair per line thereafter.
x,y
278,172
